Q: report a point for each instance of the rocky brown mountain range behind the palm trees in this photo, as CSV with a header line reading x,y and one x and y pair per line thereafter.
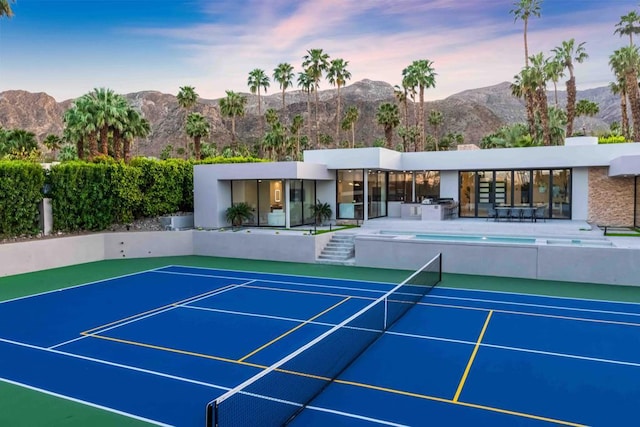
x,y
473,113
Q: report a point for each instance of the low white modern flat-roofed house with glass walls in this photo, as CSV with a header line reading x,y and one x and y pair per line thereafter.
x,y
580,180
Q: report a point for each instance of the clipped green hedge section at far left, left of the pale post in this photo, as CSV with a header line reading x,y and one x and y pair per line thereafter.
x,y
21,185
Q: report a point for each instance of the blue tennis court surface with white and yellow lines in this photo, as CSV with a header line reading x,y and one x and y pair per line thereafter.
x,y
159,345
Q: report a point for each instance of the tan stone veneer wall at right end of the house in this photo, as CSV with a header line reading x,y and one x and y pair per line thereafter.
x,y
610,199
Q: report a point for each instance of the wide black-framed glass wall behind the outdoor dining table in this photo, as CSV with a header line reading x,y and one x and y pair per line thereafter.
x,y
551,188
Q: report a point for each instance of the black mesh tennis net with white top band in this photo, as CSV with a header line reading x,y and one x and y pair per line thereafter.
x,y
277,394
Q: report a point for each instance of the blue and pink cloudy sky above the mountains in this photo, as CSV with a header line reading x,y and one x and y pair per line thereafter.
x,y
69,47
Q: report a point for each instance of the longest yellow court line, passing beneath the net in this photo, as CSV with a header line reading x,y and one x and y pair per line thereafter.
x,y
338,381
